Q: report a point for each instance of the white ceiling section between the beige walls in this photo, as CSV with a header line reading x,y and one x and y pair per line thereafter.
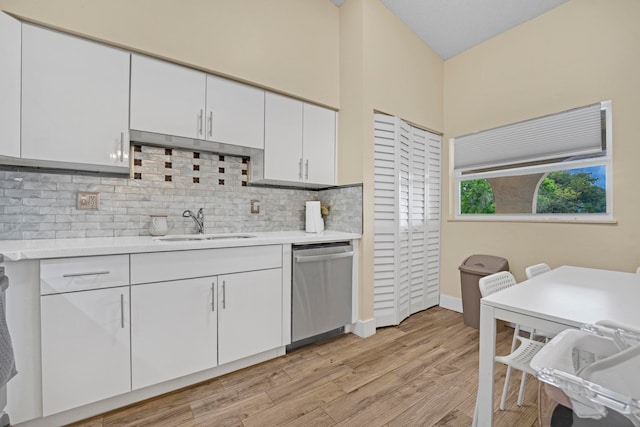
x,y
453,26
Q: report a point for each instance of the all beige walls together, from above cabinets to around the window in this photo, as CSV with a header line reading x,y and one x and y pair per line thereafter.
x,y
361,59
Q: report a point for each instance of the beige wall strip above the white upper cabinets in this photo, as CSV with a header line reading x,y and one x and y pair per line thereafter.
x,y
290,46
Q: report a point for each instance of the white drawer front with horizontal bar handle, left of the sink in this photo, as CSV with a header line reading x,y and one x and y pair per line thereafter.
x,y
83,273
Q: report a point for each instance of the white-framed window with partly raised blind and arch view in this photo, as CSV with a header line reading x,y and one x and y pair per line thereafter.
x,y
555,167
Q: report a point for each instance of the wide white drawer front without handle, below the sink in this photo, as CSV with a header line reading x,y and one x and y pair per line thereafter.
x,y
162,266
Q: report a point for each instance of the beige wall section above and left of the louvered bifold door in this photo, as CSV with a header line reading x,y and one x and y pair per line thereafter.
x,y
386,68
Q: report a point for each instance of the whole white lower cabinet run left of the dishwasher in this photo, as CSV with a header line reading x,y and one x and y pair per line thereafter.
x,y
113,324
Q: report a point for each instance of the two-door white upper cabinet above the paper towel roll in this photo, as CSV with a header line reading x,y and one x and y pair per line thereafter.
x,y
299,142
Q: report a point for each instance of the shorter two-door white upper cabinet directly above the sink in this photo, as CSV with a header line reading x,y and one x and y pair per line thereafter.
x,y
173,100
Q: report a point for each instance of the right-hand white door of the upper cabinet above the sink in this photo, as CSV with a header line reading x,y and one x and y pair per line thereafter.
x,y
235,113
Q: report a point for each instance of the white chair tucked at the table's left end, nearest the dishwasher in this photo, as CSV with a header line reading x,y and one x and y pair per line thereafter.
x,y
519,357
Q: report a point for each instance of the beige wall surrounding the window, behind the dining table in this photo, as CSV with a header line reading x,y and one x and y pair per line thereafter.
x,y
582,52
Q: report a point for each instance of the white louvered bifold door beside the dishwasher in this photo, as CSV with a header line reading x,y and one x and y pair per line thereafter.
x,y
406,220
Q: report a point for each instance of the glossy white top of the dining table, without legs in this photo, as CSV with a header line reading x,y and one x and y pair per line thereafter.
x,y
574,296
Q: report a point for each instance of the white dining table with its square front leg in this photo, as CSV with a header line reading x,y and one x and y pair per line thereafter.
x,y
566,297
